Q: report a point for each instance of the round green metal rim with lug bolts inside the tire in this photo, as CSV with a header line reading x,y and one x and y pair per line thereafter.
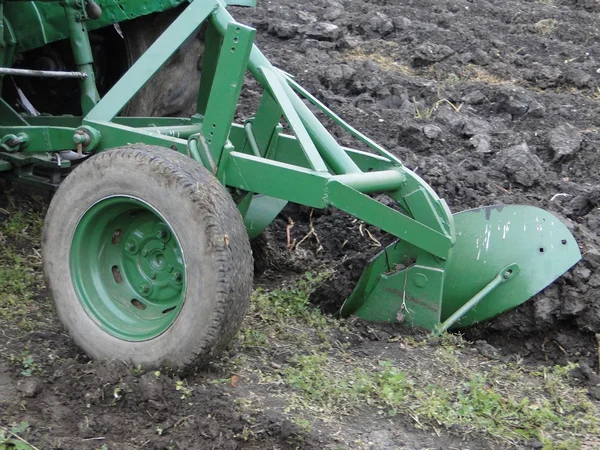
x,y
128,268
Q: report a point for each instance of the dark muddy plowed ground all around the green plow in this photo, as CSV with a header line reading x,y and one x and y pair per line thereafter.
x,y
490,103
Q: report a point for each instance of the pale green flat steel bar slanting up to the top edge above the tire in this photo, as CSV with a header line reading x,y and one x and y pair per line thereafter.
x,y
151,61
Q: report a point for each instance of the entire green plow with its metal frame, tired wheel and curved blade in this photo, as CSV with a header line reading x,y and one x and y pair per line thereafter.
x,y
444,271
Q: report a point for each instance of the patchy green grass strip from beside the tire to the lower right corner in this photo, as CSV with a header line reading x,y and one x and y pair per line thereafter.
x,y
506,403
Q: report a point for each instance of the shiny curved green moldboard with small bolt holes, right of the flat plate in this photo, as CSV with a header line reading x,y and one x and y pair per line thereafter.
x,y
491,238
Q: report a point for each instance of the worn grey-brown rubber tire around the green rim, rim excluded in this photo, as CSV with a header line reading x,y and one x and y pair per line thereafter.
x,y
212,236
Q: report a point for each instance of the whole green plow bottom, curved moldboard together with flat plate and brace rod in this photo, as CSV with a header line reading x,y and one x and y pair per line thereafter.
x,y
503,255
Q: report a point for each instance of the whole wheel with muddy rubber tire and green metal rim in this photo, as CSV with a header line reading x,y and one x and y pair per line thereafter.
x,y
147,259
